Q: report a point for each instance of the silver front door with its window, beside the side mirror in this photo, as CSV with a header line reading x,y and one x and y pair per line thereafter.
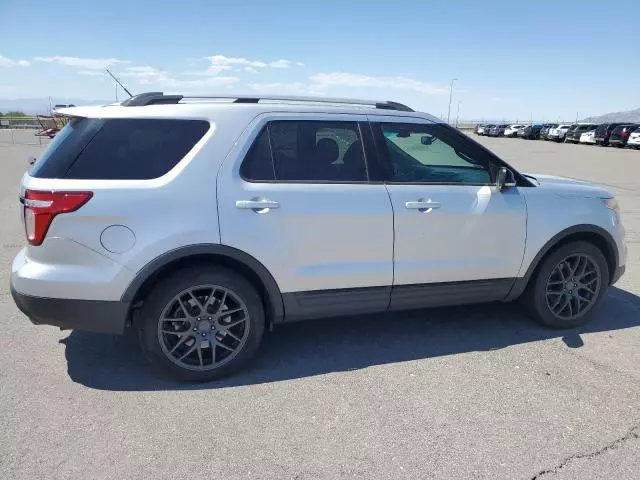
x,y
458,238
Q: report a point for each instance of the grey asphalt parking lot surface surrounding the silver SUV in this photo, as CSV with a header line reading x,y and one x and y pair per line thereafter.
x,y
467,392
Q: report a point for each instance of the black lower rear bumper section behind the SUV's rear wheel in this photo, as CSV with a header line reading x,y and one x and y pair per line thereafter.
x,y
87,315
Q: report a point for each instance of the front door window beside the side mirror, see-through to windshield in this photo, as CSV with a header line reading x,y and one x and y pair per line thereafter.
x,y
431,153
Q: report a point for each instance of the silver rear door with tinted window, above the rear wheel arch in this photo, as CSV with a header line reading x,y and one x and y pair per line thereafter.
x,y
294,194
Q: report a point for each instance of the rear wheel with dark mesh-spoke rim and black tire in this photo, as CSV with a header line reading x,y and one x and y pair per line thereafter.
x,y
218,290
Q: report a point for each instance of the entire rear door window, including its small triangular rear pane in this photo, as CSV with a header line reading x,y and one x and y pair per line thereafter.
x,y
307,151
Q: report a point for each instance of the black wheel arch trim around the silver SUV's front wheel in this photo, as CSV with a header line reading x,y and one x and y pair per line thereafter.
x,y
594,234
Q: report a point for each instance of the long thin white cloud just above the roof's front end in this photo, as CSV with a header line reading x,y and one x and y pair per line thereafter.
x,y
344,79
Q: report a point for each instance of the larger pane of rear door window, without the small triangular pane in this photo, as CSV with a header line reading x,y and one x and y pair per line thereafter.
x,y
317,151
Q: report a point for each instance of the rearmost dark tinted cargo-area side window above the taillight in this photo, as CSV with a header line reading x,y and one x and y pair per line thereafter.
x,y
118,149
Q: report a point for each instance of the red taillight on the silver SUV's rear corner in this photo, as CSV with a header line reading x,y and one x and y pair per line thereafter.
x,y
41,207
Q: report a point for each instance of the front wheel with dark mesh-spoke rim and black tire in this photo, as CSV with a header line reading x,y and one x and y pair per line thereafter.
x,y
541,305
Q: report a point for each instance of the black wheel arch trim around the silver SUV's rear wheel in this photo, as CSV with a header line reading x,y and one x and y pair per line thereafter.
x,y
215,254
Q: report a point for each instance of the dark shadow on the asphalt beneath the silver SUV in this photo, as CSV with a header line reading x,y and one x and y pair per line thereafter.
x,y
305,349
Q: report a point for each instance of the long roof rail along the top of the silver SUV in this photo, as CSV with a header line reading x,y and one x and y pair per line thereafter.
x,y
158,98
